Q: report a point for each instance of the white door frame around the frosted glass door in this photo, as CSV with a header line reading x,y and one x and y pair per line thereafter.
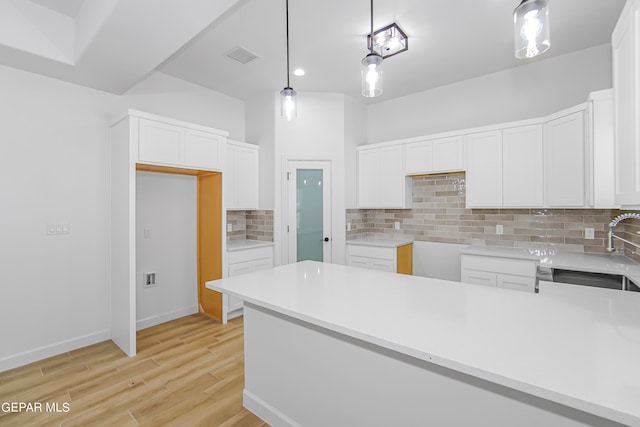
x,y
284,202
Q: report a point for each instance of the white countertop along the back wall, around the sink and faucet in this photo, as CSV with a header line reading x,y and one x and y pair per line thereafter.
x,y
599,263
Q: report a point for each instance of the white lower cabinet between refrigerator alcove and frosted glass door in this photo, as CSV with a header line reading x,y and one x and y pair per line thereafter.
x,y
242,262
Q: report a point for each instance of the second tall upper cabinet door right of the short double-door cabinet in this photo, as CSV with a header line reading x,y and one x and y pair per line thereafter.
x,y
522,166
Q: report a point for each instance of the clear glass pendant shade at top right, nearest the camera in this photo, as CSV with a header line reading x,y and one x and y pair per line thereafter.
x,y
531,28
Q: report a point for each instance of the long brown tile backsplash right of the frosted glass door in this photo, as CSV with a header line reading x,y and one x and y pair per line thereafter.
x,y
439,215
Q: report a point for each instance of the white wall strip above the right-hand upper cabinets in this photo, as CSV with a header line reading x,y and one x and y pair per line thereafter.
x,y
532,90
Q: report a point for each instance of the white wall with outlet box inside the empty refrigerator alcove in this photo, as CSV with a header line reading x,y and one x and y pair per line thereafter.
x,y
166,206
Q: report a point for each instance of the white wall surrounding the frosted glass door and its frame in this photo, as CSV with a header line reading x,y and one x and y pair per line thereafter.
x,y
318,132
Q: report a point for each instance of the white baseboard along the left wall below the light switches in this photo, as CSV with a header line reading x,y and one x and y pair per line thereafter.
x,y
24,358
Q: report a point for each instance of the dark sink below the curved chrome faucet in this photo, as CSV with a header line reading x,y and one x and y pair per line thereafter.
x,y
585,278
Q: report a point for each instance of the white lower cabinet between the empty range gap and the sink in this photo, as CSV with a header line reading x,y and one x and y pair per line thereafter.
x,y
497,272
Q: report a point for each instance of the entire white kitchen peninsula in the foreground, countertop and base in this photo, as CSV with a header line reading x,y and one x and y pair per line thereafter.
x,y
329,344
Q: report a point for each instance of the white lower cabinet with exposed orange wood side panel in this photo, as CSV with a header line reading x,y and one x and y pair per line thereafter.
x,y
384,258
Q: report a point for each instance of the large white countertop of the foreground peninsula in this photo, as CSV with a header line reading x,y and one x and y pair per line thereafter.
x,y
583,352
